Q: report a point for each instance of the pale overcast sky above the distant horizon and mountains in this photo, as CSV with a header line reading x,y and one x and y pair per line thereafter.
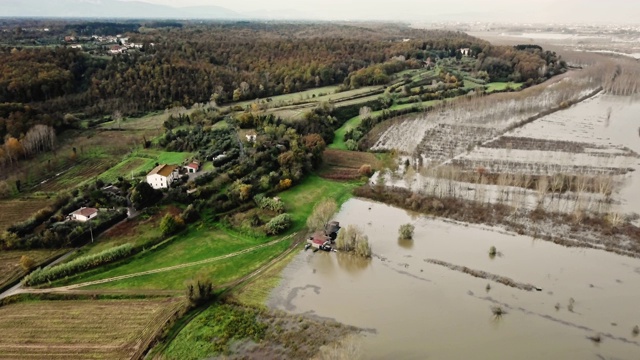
x,y
602,11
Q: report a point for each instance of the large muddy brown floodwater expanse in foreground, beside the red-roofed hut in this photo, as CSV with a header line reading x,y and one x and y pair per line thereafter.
x,y
416,310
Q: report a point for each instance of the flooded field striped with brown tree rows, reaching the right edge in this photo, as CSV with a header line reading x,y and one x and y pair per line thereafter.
x,y
576,161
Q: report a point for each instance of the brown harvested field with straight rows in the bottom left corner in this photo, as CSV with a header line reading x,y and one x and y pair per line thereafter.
x,y
82,329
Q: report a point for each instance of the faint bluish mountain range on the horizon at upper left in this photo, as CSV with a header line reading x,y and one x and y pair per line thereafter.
x,y
110,9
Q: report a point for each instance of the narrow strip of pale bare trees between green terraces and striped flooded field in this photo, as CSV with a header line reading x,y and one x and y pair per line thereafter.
x,y
450,131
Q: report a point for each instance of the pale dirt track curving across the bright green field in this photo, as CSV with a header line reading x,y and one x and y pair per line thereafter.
x,y
148,272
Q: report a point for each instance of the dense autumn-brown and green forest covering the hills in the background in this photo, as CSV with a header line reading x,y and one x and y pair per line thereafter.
x,y
223,62
